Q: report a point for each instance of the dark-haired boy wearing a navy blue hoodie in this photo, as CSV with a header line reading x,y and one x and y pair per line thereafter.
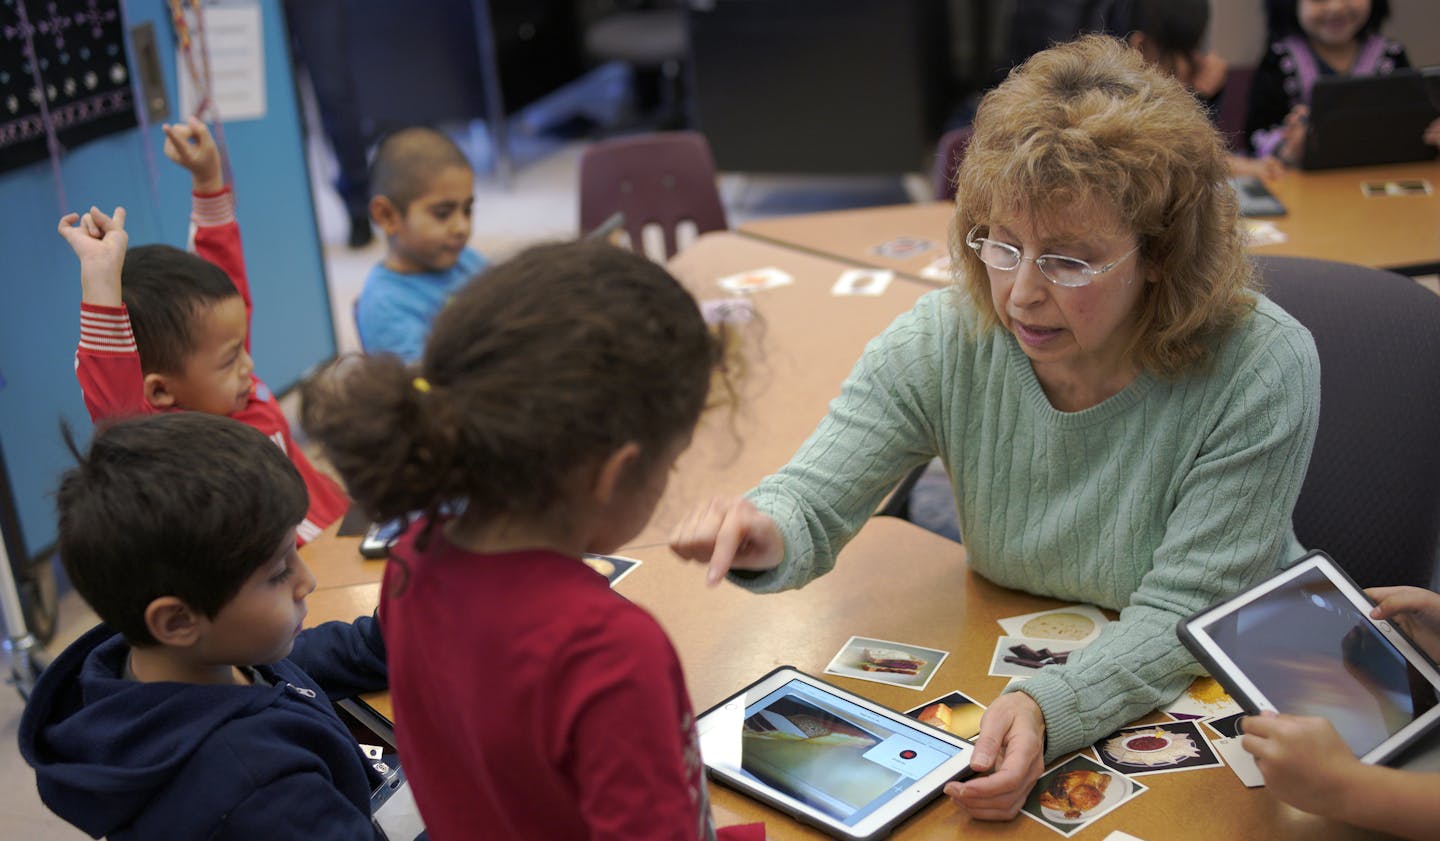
x,y
198,709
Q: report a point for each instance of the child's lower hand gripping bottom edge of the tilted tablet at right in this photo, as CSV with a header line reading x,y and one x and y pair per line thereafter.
x,y
1304,761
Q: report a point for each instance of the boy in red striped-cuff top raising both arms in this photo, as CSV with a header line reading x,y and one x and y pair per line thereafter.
x,y
163,329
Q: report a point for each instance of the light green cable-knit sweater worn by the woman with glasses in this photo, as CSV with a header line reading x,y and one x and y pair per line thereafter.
x,y
1156,503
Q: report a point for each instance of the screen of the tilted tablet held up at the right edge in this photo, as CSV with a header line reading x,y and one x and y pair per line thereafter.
x,y
1313,652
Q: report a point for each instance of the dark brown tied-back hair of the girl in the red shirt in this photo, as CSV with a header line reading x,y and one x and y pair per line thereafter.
x,y
545,364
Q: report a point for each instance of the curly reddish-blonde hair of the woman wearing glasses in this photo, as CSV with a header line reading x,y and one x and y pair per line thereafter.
x,y
1089,125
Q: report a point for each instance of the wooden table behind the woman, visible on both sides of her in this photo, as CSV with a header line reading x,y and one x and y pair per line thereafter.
x,y
1328,218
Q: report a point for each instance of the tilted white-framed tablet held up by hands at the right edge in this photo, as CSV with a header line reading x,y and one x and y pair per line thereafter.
x,y
1304,643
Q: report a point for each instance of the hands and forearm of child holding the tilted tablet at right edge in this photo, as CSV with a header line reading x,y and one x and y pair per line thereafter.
x,y
1308,765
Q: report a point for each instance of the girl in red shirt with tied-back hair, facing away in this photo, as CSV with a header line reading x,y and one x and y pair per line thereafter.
x,y
549,405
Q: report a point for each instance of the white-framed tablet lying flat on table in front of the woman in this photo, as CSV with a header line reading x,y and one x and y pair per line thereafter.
x,y
823,751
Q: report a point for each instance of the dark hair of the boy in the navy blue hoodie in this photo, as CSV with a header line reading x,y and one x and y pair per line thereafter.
x,y
182,505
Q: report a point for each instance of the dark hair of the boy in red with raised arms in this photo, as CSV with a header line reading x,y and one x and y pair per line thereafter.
x,y
165,290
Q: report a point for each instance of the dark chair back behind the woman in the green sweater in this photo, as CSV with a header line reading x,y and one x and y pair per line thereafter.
x,y
1372,496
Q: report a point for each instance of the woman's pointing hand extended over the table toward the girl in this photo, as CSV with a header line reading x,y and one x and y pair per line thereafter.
x,y
728,534
